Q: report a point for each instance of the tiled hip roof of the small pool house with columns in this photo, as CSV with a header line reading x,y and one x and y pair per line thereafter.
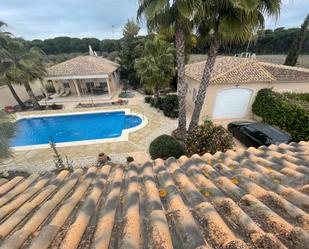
x,y
83,65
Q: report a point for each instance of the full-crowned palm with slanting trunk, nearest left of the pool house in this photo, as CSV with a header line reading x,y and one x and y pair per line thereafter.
x,y
22,66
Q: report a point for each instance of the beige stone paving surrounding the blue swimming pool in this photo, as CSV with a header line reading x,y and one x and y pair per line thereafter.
x,y
40,160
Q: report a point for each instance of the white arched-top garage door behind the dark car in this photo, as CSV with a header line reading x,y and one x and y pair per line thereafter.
x,y
232,103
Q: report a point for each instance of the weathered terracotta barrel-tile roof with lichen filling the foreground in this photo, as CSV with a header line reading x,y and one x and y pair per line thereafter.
x,y
255,198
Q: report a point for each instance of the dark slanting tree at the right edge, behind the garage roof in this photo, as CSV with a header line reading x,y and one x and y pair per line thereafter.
x,y
294,52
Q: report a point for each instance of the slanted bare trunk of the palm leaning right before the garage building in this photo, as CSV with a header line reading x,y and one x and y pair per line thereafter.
x,y
200,98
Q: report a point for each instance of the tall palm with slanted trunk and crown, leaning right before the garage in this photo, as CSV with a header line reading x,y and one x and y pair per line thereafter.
x,y
227,21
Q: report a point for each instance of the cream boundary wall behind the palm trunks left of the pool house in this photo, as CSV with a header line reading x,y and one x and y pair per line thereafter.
x,y
6,97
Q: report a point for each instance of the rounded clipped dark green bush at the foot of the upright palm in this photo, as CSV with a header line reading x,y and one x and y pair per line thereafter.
x,y
166,146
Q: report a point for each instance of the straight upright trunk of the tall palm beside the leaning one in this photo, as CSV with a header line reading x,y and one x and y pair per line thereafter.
x,y
181,83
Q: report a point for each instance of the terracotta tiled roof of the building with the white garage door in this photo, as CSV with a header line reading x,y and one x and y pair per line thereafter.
x,y
230,70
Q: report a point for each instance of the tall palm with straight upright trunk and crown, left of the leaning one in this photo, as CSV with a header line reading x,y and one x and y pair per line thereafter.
x,y
177,14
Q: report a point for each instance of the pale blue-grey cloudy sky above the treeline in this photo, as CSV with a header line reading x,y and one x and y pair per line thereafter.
x,y
42,19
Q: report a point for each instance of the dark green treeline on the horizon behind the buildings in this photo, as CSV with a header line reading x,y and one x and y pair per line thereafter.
x,y
277,41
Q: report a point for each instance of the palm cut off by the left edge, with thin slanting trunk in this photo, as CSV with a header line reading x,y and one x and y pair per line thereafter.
x,y
4,39
